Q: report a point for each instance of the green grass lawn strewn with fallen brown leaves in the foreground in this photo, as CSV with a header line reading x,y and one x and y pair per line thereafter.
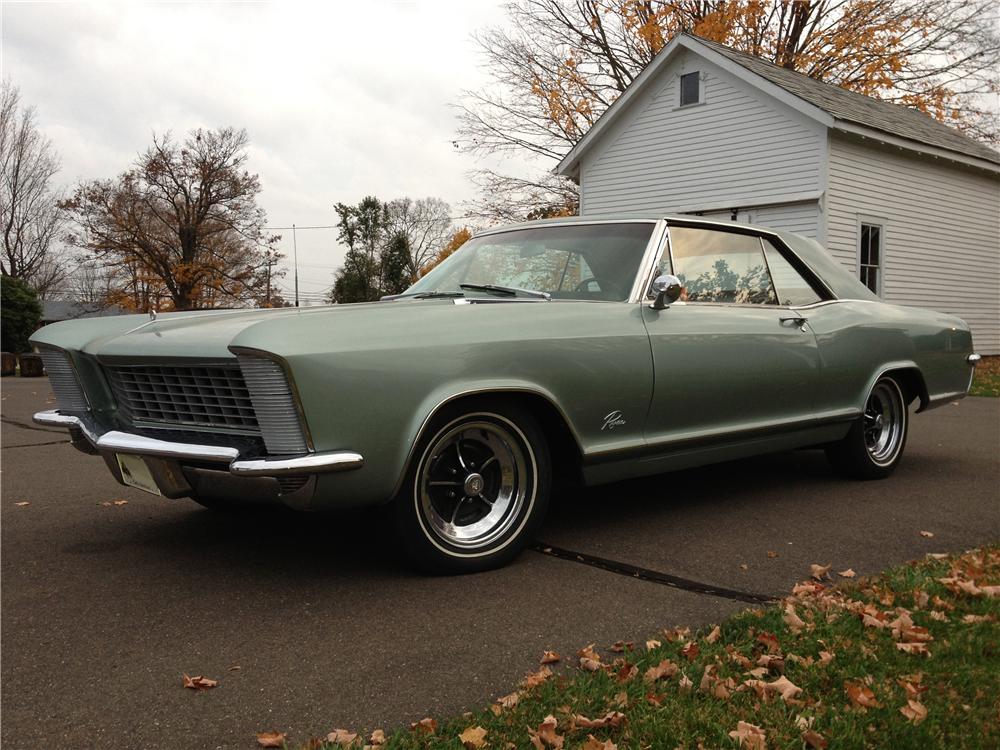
x,y
908,659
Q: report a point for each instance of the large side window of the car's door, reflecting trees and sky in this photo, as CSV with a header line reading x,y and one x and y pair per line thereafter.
x,y
717,266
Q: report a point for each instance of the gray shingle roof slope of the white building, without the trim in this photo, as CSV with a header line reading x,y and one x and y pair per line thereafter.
x,y
850,106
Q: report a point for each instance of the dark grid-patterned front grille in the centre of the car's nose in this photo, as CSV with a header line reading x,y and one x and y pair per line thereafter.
x,y
206,396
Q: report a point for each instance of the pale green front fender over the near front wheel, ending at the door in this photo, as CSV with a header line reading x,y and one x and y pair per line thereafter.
x,y
370,378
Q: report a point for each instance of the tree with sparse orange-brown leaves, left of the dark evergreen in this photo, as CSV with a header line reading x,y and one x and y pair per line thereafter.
x,y
181,226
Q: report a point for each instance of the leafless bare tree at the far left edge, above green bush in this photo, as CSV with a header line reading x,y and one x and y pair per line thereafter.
x,y
28,206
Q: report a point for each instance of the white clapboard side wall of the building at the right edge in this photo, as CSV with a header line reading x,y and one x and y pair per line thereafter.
x,y
942,233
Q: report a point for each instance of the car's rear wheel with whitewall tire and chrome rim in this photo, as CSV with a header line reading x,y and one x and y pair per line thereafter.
x,y
875,443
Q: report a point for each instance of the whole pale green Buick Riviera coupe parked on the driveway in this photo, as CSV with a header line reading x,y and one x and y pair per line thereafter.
x,y
580,349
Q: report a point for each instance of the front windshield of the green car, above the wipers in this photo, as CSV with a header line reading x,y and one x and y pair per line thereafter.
x,y
571,261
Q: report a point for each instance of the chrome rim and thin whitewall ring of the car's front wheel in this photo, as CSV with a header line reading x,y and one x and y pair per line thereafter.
x,y
510,507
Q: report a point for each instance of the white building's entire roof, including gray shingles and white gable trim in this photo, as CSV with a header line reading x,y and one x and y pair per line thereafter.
x,y
826,102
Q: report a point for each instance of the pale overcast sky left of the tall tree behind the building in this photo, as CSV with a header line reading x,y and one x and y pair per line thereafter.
x,y
340,99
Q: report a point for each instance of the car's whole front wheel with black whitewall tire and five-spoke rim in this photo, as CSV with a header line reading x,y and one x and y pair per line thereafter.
x,y
477,490
